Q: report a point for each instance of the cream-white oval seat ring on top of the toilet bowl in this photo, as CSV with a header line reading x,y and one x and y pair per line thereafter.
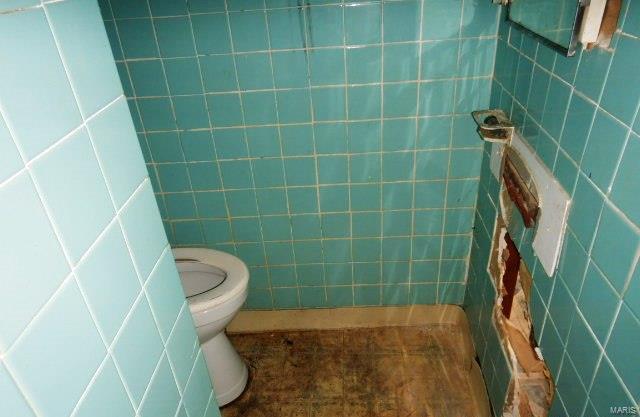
x,y
233,285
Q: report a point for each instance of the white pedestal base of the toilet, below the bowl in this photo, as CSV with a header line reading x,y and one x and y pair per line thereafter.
x,y
227,370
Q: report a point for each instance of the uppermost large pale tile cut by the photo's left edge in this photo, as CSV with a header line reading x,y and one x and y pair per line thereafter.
x,y
37,124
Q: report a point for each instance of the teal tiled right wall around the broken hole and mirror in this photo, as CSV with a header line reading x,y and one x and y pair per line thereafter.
x,y
581,116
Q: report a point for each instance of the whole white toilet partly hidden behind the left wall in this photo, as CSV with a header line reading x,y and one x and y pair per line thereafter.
x,y
215,284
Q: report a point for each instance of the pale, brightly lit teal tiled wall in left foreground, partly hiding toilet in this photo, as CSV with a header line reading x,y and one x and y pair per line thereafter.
x,y
94,321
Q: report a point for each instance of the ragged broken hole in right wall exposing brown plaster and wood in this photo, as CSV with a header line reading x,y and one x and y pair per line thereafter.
x,y
531,387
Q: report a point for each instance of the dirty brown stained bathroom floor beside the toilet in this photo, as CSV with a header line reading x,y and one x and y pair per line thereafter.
x,y
385,372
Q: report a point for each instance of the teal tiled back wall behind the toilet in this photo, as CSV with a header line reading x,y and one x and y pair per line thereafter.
x,y
328,144
